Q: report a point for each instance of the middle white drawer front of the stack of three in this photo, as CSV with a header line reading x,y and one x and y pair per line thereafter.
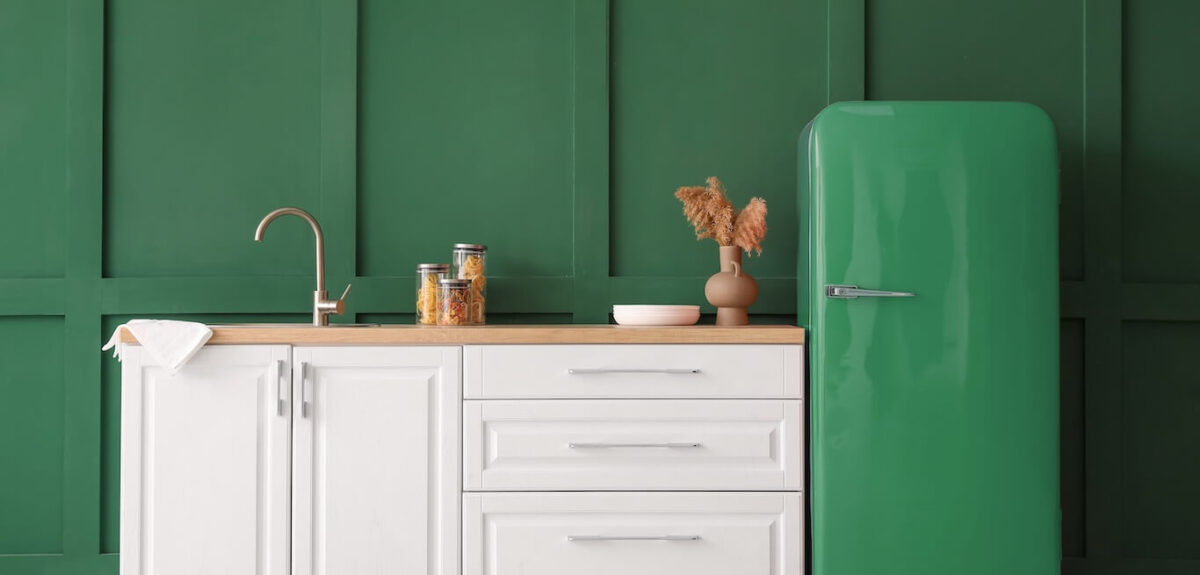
x,y
633,446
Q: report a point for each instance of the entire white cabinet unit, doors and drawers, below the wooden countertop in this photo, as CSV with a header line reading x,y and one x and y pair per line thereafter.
x,y
583,459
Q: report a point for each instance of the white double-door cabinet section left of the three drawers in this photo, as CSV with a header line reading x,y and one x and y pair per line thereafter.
x,y
224,474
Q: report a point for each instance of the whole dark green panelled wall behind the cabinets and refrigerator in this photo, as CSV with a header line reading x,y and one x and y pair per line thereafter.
x,y
141,141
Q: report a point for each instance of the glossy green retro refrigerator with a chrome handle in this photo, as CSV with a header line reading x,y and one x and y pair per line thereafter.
x,y
931,287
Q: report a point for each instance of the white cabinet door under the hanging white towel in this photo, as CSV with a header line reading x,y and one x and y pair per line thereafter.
x,y
205,464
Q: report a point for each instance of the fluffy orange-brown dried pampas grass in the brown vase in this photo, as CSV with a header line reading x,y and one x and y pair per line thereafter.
x,y
712,215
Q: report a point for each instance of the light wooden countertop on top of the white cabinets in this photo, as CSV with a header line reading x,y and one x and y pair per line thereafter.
x,y
386,334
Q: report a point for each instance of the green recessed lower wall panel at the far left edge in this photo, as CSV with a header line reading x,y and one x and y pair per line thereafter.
x,y
32,435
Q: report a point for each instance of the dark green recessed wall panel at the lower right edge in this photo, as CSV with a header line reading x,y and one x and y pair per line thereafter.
x,y
1162,424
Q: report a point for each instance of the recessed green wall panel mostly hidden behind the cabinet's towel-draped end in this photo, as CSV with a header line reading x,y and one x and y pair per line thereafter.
x,y
111,417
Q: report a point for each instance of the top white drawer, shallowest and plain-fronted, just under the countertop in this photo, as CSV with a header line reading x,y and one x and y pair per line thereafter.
x,y
633,372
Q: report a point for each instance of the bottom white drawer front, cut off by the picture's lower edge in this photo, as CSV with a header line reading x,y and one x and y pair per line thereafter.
x,y
633,534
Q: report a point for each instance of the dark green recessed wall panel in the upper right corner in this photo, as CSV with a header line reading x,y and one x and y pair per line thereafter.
x,y
1161,124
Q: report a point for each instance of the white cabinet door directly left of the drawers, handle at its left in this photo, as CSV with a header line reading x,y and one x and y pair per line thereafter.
x,y
376,460
